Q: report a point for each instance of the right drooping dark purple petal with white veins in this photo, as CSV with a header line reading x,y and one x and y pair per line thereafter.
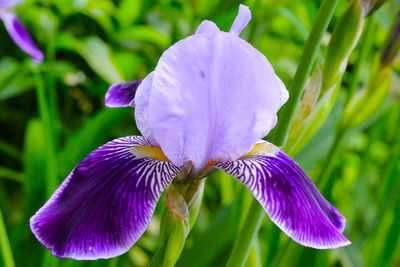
x,y
289,197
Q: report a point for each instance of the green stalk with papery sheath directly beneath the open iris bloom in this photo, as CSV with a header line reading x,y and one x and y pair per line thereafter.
x,y
183,203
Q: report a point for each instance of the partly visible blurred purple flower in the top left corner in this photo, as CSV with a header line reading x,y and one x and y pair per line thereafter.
x,y
17,31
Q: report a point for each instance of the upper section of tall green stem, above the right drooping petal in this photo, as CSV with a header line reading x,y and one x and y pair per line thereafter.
x,y
303,71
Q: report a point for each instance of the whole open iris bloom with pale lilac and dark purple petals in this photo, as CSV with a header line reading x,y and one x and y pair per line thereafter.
x,y
207,105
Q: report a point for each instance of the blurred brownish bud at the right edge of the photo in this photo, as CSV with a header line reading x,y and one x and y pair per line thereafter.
x,y
392,45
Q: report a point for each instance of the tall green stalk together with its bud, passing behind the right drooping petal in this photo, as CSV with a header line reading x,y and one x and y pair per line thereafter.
x,y
344,39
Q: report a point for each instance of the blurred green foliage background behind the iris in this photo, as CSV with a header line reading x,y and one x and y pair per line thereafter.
x,y
89,45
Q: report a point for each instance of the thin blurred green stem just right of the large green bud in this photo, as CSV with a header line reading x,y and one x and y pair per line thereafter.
x,y
365,48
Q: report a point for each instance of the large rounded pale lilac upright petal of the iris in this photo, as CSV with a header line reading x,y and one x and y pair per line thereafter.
x,y
212,98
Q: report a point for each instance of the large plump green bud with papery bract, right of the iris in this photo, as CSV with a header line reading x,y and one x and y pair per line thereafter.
x,y
343,41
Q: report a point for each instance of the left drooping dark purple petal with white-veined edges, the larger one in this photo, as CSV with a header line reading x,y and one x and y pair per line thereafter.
x,y
105,204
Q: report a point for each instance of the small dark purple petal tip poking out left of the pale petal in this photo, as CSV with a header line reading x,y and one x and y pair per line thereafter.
x,y
121,95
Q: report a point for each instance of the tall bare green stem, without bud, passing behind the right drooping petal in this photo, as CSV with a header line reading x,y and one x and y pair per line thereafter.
x,y
256,212
